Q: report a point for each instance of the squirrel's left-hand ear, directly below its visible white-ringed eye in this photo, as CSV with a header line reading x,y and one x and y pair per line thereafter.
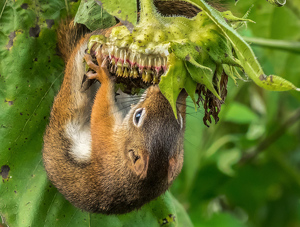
x,y
139,161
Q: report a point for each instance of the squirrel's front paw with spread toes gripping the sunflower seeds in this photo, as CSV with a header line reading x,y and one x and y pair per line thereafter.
x,y
102,74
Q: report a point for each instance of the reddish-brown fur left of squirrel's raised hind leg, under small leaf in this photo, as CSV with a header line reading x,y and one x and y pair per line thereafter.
x,y
68,35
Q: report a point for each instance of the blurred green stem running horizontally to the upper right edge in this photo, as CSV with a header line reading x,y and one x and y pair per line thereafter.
x,y
292,46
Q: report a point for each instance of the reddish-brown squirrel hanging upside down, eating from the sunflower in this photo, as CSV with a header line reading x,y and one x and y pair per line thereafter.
x,y
100,161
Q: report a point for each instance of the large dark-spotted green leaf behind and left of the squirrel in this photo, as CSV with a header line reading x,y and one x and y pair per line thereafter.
x,y
30,75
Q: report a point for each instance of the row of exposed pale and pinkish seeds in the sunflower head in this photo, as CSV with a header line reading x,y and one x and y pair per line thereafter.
x,y
125,63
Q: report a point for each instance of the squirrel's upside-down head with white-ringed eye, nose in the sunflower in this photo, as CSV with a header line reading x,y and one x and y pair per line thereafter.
x,y
153,138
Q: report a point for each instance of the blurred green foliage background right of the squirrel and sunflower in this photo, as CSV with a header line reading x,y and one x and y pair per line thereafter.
x,y
244,171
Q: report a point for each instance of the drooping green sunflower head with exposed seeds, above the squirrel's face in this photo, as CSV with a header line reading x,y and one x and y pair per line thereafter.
x,y
197,54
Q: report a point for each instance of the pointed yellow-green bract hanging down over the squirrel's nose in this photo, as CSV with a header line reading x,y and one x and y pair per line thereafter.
x,y
173,81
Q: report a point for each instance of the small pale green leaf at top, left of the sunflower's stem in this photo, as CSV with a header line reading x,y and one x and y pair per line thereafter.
x,y
93,16
